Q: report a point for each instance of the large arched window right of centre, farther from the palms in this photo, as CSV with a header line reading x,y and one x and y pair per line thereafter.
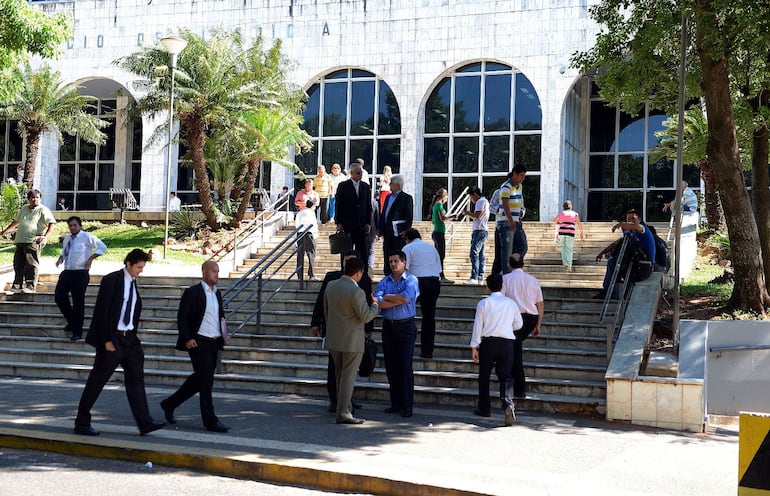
x,y
479,122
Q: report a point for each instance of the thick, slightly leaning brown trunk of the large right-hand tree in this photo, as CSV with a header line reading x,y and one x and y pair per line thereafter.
x,y
749,292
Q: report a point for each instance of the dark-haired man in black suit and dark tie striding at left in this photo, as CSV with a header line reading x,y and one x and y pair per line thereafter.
x,y
113,333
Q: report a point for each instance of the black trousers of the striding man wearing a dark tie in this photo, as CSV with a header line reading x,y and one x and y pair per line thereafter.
x,y
130,356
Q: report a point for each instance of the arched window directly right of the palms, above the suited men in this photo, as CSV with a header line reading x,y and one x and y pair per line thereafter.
x,y
350,114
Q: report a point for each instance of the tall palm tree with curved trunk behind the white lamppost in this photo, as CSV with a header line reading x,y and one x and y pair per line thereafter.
x,y
219,80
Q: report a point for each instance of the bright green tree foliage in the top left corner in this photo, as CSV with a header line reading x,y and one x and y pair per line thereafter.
x,y
25,29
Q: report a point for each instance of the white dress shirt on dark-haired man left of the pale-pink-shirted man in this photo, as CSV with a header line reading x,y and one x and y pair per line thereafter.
x,y
496,316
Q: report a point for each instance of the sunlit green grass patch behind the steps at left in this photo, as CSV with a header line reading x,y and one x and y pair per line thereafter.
x,y
119,238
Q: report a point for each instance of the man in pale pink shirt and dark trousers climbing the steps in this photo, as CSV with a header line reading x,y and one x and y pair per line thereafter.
x,y
525,290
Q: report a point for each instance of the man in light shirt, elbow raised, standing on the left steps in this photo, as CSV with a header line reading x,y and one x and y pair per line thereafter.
x,y
79,249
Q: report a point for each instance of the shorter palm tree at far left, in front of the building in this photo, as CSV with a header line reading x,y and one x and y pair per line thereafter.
x,y
42,104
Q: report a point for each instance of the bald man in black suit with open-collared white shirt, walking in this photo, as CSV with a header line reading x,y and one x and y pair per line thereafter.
x,y
200,322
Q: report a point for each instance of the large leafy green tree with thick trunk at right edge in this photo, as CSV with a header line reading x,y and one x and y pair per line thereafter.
x,y
636,59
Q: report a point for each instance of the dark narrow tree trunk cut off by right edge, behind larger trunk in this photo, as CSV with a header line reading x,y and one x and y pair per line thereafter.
x,y
761,182
